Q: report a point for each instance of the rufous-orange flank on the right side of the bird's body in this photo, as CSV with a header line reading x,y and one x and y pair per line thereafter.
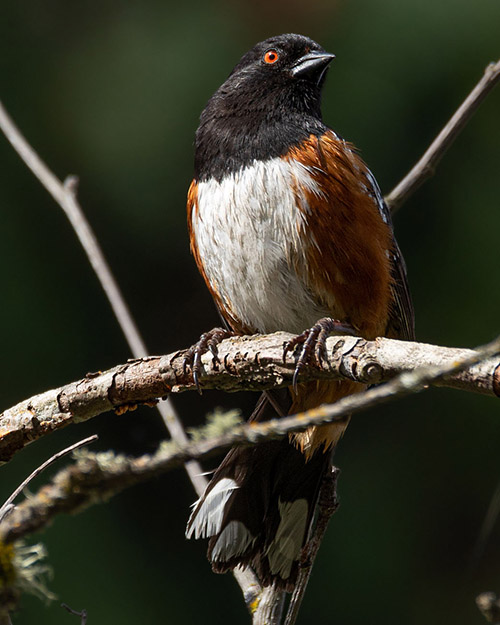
x,y
349,242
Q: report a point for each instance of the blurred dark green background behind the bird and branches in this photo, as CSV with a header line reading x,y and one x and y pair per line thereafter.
x,y
112,91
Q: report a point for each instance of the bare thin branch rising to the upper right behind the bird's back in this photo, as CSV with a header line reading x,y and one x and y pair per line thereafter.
x,y
426,166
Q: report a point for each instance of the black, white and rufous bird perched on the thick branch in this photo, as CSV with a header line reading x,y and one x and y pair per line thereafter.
x,y
289,229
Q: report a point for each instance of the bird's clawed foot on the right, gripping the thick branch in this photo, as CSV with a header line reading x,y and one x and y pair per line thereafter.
x,y
313,342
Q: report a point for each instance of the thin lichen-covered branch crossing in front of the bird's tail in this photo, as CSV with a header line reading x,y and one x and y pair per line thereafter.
x,y
96,477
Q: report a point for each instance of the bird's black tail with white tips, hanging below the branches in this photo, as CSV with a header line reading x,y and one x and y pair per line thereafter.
x,y
258,508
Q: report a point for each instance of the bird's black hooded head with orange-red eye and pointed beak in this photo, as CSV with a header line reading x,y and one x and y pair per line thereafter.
x,y
269,103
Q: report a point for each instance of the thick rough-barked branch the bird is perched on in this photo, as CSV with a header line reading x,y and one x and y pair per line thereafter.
x,y
249,363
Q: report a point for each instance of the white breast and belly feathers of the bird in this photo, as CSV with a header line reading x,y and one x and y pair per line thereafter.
x,y
247,231
